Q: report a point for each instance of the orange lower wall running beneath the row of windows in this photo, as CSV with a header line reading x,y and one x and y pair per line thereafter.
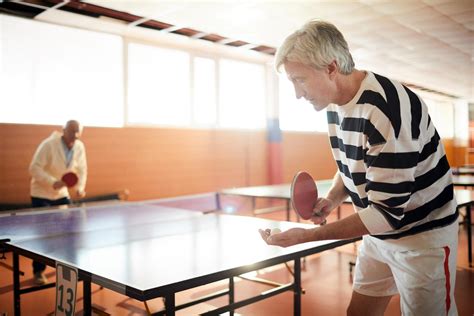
x,y
164,162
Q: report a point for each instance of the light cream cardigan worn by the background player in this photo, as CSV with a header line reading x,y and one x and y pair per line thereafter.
x,y
49,164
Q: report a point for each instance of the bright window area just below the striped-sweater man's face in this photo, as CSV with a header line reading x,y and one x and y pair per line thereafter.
x,y
298,114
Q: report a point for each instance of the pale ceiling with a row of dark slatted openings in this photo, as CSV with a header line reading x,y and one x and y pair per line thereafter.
x,y
426,43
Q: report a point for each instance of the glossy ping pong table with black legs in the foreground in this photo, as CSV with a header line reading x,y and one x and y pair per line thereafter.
x,y
144,250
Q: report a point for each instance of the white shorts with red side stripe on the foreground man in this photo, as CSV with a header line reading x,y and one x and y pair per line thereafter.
x,y
424,278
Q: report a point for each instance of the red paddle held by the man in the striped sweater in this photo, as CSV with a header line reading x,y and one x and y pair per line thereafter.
x,y
304,195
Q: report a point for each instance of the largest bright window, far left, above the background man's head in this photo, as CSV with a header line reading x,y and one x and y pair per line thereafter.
x,y
51,74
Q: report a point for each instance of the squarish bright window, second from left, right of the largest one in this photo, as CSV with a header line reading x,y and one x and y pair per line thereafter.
x,y
158,86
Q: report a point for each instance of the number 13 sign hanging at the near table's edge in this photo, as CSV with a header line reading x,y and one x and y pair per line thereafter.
x,y
66,285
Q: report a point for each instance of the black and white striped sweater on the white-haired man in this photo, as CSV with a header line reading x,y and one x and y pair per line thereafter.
x,y
391,160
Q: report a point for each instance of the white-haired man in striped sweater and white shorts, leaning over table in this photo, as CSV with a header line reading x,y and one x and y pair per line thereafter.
x,y
392,164
